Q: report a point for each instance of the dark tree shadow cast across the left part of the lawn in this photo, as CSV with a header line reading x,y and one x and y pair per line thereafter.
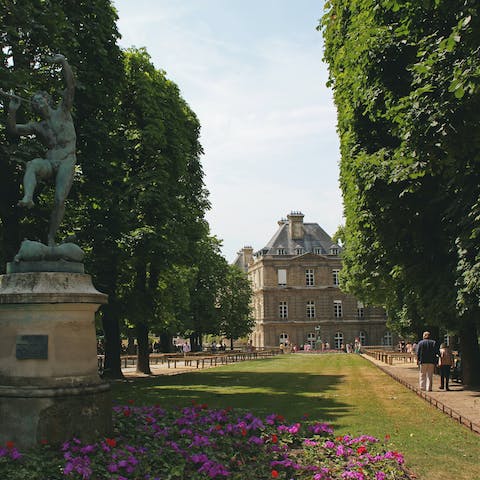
x,y
286,393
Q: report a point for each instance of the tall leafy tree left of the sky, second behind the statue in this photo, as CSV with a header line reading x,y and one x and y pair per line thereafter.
x,y
164,191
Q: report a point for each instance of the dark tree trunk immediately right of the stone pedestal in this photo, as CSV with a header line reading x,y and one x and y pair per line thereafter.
x,y
111,329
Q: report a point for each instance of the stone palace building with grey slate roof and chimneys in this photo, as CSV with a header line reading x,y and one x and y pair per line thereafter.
x,y
296,294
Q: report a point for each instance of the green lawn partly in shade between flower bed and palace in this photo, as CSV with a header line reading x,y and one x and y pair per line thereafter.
x,y
345,390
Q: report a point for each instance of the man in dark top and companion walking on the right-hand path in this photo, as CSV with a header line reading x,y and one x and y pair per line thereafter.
x,y
430,355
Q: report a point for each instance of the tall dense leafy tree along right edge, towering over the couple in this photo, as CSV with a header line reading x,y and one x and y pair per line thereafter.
x,y
406,83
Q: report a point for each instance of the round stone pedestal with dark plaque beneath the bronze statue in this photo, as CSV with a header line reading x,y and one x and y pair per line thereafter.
x,y
49,384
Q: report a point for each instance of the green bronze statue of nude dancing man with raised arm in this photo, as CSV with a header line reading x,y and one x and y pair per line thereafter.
x,y
57,132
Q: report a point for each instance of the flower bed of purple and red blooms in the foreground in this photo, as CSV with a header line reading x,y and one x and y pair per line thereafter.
x,y
153,443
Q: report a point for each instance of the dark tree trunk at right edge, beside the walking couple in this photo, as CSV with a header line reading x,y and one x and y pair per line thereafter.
x,y
469,352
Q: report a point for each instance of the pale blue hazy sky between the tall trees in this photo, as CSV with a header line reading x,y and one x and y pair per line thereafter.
x,y
252,71
